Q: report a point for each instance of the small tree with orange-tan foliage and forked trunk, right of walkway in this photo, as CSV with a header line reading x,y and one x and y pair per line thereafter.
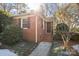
x,y
68,15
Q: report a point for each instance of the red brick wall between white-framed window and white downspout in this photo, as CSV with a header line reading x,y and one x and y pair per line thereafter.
x,y
29,34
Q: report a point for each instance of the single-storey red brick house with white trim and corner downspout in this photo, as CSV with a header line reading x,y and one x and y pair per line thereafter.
x,y
35,28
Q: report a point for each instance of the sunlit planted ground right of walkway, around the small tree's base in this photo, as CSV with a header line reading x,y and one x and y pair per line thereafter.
x,y
57,49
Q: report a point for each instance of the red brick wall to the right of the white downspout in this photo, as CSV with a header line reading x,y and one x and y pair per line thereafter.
x,y
42,34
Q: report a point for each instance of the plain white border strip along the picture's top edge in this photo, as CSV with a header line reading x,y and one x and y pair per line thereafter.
x,y
39,1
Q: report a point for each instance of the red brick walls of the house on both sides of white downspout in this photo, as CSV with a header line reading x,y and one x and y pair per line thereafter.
x,y
30,33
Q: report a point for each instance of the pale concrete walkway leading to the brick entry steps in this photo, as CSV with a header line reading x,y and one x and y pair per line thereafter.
x,y
42,49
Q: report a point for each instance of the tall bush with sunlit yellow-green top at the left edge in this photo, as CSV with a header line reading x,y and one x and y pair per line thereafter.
x,y
5,19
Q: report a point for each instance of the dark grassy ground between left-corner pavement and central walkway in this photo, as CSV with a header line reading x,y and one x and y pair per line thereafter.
x,y
22,48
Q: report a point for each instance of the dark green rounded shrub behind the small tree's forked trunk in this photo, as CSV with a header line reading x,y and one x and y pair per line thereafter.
x,y
61,28
